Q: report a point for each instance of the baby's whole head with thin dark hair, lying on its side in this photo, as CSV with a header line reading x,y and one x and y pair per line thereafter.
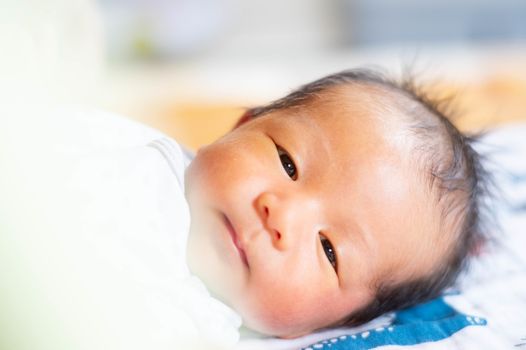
x,y
348,198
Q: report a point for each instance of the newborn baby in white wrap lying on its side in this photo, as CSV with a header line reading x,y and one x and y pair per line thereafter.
x,y
350,197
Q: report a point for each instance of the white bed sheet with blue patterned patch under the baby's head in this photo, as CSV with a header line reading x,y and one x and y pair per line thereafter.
x,y
487,308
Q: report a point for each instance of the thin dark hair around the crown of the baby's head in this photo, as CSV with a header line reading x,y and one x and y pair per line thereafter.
x,y
451,166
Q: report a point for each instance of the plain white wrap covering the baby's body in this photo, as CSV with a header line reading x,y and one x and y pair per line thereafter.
x,y
108,259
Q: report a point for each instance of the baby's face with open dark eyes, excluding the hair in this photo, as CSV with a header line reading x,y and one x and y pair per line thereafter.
x,y
297,213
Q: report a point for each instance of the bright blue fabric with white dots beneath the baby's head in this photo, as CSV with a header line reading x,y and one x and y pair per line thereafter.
x,y
428,322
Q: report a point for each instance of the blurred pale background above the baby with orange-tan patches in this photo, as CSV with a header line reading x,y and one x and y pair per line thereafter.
x,y
189,67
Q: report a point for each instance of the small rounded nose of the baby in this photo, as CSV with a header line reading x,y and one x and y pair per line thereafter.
x,y
286,218
